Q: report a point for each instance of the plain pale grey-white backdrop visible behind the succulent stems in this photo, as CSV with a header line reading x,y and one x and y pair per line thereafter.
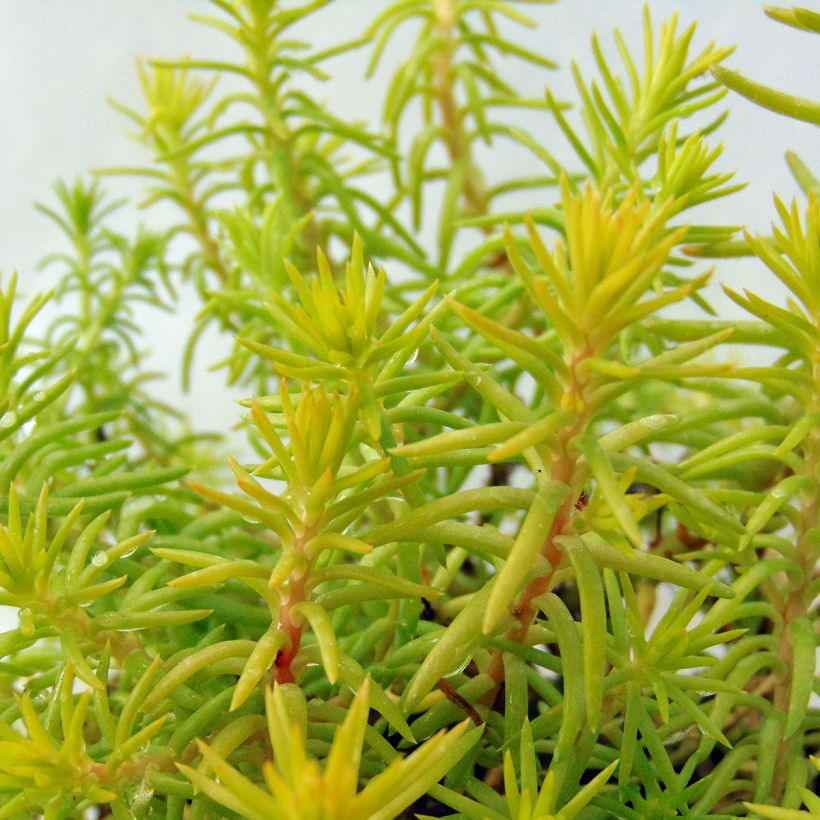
x,y
60,59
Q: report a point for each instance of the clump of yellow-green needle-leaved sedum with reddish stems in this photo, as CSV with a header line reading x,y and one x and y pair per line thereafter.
x,y
509,539
